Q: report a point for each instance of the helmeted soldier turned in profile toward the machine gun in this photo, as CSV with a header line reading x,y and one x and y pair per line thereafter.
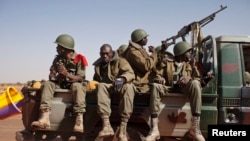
x,y
143,65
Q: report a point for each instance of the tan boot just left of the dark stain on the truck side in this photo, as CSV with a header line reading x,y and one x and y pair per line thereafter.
x,y
154,133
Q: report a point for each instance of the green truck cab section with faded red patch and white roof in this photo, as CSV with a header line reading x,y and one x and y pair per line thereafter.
x,y
233,101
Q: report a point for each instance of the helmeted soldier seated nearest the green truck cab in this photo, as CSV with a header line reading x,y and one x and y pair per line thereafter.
x,y
188,80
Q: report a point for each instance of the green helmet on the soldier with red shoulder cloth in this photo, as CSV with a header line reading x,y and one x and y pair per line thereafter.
x,y
65,41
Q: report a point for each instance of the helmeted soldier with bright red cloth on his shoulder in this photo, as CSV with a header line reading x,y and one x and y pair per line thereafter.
x,y
67,71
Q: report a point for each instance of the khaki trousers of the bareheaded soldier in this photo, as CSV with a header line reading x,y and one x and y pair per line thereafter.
x,y
126,93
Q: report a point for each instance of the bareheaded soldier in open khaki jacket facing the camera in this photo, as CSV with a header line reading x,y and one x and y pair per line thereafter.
x,y
114,75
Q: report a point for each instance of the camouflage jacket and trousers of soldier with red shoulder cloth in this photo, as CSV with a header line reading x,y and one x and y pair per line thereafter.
x,y
78,88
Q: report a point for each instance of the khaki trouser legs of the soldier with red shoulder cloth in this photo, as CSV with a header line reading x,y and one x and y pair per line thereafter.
x,y
78,92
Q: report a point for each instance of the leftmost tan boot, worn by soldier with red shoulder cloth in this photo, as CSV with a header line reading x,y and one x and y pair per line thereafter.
x,y
43,121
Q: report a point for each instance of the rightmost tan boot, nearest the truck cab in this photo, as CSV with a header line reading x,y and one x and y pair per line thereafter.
x,y
195,129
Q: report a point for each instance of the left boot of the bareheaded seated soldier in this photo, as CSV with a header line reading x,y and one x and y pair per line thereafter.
x,y
107,130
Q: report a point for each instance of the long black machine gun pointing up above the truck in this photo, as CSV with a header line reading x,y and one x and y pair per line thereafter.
x,y
186,29
